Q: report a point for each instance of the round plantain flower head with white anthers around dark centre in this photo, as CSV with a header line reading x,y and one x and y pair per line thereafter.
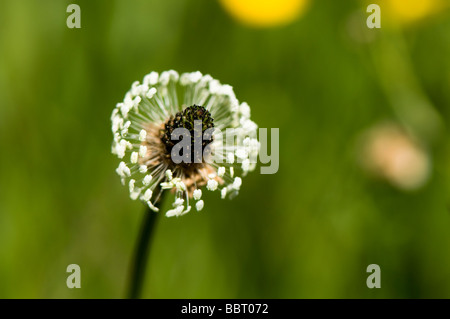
x,y
190,114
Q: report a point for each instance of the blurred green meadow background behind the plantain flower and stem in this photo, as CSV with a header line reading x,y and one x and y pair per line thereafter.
x,y
309,231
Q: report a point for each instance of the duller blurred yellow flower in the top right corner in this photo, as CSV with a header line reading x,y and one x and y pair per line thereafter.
x,y
408,11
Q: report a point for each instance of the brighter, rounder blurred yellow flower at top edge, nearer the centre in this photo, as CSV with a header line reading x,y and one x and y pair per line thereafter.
x,y
265,13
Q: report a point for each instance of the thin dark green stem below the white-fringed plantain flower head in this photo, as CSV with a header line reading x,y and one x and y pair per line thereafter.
x,y
141,252
